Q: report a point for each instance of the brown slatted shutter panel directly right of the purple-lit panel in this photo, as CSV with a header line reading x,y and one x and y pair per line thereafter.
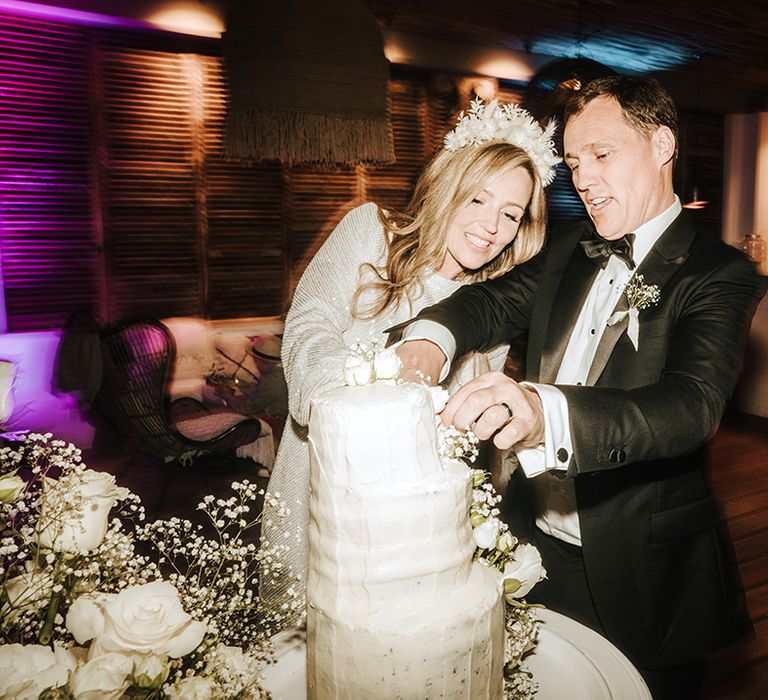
x,y
150,205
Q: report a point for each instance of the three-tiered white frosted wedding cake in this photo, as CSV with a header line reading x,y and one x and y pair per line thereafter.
x,y
396,607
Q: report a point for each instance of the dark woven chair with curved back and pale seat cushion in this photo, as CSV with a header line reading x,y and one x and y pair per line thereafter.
x,y
138,360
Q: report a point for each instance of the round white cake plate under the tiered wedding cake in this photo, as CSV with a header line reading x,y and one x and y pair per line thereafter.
x,y
570,661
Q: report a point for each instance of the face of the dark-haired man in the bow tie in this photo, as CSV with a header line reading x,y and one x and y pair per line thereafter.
x,y
617,171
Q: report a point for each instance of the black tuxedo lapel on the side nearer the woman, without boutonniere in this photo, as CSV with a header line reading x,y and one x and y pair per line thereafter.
x,y
575,283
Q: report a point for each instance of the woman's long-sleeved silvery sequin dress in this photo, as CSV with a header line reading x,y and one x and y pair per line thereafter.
x,y
319,330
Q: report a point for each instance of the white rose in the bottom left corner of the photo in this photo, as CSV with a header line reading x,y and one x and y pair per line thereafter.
x,y
27,670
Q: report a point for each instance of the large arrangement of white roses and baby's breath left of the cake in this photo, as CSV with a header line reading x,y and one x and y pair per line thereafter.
x,y
96,603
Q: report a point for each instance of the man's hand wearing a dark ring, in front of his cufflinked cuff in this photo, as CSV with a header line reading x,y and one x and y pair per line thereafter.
x,y
485,405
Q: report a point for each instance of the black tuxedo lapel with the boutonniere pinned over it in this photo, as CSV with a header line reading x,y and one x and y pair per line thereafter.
x,y
658,267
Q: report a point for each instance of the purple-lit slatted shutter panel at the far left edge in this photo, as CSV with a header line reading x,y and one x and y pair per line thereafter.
x,y
49,259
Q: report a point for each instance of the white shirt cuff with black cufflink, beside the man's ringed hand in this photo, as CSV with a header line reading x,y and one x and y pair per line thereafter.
x,y
555,453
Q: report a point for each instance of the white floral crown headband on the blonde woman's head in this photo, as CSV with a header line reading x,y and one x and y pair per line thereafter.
x,y
510,123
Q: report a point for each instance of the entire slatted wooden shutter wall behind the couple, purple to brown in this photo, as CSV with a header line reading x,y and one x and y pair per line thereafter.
x,y
115,196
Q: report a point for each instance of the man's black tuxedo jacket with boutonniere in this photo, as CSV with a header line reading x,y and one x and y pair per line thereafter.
x,y
657,561
